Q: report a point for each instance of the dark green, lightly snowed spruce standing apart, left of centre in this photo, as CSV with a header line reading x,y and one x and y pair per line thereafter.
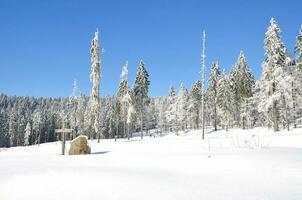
x,y
140,89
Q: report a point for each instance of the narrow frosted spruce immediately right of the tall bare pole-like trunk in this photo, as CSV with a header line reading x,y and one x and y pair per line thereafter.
x,y
212,93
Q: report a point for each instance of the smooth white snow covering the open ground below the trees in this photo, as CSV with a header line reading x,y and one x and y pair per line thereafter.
x,y
252,164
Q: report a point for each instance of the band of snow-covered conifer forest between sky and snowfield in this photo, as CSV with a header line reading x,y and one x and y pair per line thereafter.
x,y
235,99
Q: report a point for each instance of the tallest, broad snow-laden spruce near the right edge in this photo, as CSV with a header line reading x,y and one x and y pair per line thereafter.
x,y
273,68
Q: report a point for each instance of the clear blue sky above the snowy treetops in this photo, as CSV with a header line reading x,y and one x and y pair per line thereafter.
x,y
44,45
